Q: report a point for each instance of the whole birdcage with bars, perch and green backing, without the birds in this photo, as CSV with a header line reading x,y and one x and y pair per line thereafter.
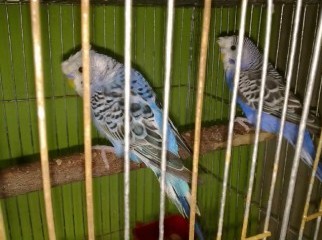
x,y
252,184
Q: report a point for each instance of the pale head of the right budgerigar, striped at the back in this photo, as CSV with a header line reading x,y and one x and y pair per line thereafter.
x,y
228,49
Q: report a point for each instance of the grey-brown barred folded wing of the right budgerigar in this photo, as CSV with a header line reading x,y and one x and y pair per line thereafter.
x,y
249,91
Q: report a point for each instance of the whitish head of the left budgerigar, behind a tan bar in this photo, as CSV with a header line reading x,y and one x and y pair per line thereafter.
x,y
100,66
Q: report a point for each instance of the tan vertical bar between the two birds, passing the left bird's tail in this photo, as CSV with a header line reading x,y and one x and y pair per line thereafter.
x,y
199,106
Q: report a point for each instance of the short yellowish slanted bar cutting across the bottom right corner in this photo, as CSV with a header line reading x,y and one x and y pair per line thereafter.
x,y
309,191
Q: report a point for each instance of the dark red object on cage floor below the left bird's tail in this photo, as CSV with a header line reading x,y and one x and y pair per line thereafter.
x,y
175,228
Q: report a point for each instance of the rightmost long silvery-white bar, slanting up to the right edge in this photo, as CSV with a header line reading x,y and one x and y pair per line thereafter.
x,y
302,127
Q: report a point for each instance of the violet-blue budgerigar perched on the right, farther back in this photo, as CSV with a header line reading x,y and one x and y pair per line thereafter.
x,y
249,91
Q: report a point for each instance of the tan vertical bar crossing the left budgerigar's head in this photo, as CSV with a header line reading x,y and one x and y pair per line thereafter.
x,y
87,116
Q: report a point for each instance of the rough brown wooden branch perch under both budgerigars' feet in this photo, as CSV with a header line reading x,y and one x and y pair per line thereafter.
x,y
26,178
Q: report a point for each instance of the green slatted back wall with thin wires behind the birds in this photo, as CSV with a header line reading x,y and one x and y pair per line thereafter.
x,y
24,216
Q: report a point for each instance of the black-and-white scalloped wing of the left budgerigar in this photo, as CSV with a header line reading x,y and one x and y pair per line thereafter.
x,y
145,129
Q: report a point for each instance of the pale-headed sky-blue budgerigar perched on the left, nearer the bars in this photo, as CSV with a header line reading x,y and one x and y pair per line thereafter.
x,y
107,107
